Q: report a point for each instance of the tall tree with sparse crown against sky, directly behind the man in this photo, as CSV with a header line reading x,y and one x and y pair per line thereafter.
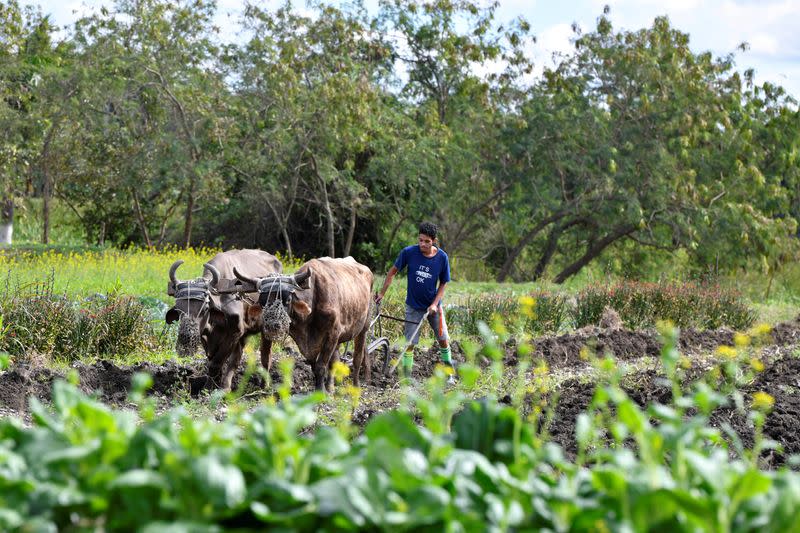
x,y
463,74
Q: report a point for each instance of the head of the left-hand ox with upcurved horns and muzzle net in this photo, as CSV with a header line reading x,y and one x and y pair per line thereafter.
x,y
193,306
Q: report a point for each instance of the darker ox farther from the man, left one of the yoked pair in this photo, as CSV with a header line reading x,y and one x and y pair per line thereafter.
x,y
220,322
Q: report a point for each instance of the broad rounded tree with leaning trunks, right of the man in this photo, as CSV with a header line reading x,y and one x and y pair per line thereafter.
x,y
631,138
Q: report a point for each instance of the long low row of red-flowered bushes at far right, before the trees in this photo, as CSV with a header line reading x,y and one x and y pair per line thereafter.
x,y
642,305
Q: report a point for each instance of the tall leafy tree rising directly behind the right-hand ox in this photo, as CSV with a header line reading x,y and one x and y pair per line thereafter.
x,y
310,111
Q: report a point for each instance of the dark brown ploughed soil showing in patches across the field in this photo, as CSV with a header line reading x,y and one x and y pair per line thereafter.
x,y
780,378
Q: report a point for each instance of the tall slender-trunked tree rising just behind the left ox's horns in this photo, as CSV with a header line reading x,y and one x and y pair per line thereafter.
x,y
154,90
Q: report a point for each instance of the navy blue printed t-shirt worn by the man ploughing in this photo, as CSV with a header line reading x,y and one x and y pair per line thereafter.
x,y
424,273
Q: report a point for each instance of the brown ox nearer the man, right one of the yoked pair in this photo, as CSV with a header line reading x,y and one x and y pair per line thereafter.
x,y
325,303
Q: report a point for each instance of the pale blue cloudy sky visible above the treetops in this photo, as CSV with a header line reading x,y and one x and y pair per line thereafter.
x,y
719,26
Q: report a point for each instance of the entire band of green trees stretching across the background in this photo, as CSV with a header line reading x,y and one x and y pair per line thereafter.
x,y
151,129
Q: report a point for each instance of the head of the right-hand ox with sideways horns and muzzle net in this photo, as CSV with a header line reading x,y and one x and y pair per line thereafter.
x,y
278,301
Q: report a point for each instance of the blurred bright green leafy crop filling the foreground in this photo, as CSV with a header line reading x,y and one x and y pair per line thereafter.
x,y
469,465
